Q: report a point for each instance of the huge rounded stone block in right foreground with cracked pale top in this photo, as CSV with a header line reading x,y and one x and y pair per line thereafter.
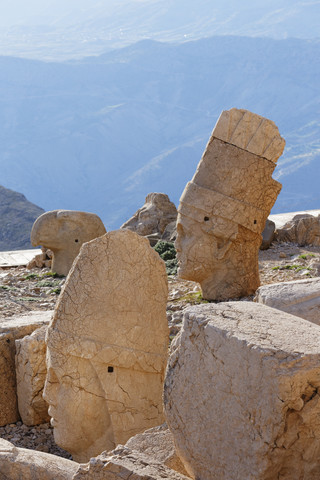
x,y
241,393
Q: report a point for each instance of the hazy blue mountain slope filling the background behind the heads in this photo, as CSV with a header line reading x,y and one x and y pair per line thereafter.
x,y
101,133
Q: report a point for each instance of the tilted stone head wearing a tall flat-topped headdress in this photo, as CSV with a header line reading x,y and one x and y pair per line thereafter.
x,y
223,210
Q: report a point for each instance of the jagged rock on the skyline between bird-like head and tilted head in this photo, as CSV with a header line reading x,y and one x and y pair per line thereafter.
x,y
153,217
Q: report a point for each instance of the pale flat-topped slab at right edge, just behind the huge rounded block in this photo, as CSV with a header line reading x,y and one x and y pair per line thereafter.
x,y
300,298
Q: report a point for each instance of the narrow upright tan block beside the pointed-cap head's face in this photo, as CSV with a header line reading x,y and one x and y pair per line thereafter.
x,y
31,373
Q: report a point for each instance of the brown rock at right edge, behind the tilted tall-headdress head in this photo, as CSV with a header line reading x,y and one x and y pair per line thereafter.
x,y
303,229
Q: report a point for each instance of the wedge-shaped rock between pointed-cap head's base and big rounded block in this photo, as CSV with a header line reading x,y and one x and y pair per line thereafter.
x,y
157,443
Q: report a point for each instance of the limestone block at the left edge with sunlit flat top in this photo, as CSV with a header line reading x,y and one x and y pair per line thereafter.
x,y
11,330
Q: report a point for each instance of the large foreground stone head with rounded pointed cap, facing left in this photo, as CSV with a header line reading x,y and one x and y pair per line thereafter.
x,y
107,346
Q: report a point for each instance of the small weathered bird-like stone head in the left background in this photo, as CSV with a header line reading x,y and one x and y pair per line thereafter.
x,y
63,232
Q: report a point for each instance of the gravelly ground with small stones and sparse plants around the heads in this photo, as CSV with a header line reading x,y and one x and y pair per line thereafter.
x,y
23,290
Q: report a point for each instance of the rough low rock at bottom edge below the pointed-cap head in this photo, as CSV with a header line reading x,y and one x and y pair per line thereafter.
x,y
125,464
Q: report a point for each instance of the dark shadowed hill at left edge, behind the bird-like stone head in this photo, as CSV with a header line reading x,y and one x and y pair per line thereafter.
x,y
17,216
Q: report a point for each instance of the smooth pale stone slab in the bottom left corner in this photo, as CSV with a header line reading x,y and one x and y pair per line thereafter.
x,y
22,464
